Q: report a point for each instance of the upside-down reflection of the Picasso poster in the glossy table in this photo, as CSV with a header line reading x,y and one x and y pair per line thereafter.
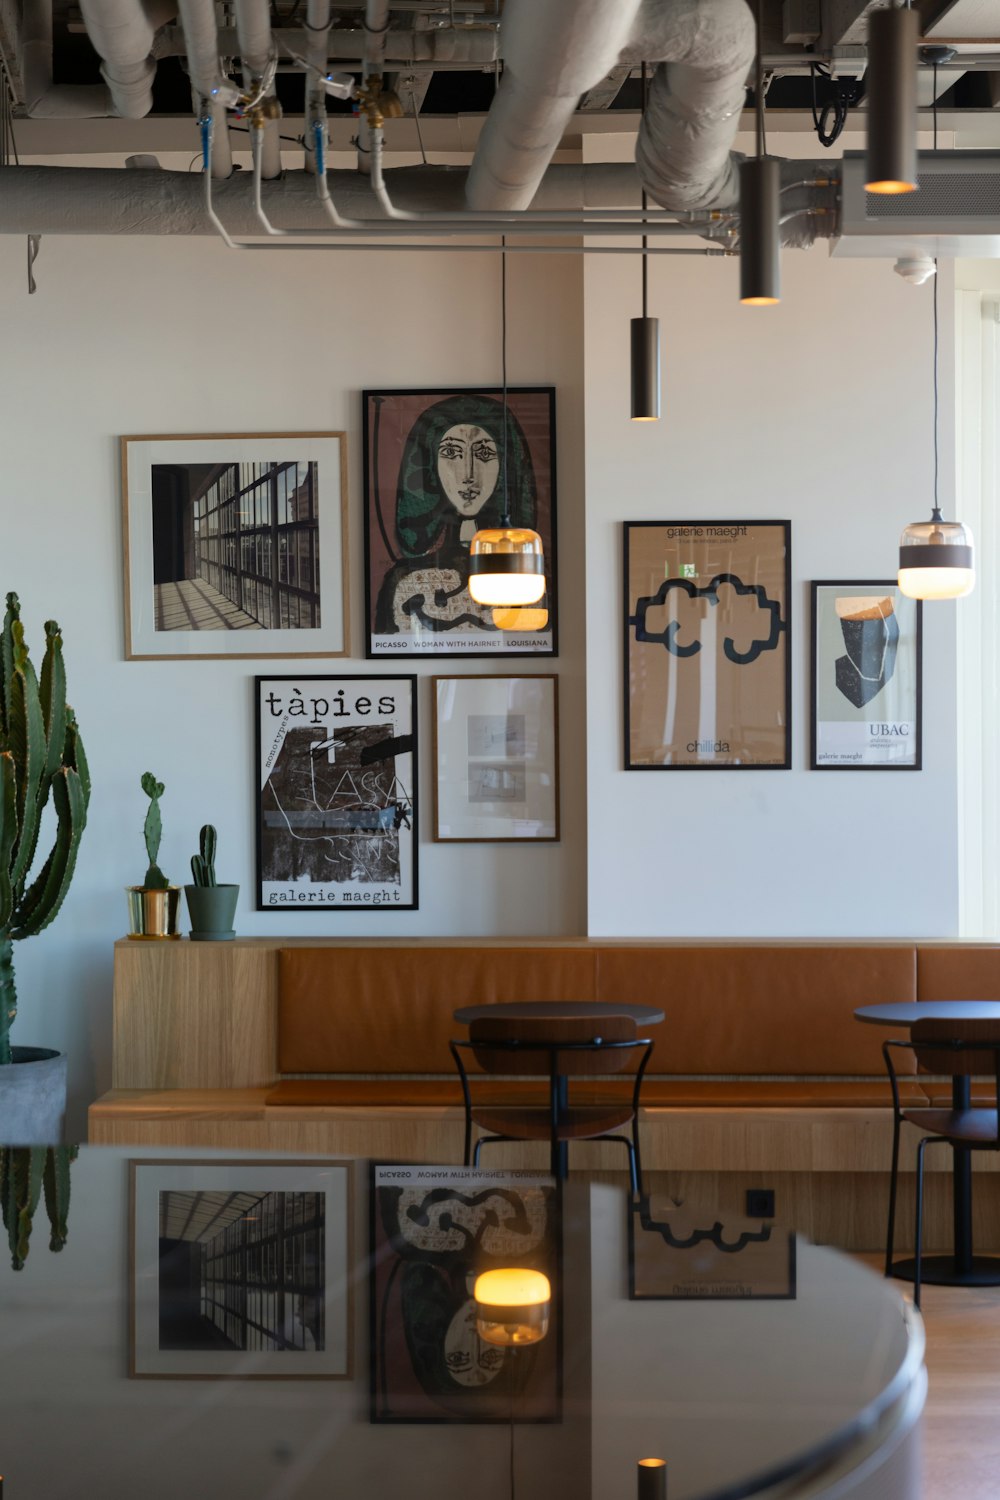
x,y
434,1231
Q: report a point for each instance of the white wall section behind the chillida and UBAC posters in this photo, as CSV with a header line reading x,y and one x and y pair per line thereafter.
x,y
818,412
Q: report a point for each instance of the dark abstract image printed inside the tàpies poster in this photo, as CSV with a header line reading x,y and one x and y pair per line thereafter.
x,y
335,808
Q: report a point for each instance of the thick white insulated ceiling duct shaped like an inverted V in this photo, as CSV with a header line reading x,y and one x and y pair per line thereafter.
x,y
554,53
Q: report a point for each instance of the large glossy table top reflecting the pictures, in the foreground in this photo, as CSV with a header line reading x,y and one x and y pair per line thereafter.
x,y
734,1351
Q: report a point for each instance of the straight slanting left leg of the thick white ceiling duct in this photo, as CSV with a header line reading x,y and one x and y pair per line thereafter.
x,y
552,55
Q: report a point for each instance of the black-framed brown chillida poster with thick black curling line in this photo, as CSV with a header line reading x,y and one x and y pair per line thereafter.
x,y
708,658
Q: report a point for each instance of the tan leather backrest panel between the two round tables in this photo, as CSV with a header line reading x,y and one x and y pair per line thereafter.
x,y
747,1010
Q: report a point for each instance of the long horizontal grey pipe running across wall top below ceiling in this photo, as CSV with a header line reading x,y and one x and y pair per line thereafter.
x,y
86,200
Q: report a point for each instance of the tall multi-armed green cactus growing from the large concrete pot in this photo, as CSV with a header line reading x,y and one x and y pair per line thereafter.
x,y
41,752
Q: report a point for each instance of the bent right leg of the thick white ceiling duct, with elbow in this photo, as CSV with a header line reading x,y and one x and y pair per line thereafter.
x,y
684,149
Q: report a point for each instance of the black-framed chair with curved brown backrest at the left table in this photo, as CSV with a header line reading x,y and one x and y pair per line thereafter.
x,y
555,1049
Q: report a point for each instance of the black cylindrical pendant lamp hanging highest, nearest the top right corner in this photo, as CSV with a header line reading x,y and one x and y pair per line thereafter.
x,y
891,91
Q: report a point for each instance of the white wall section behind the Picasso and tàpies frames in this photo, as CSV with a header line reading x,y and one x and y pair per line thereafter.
x,y
146,335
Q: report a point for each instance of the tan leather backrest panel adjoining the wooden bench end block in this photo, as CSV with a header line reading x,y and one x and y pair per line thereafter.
x,y
389,1010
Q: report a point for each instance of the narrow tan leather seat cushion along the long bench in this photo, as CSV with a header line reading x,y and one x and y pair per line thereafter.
x,y
656,1093
